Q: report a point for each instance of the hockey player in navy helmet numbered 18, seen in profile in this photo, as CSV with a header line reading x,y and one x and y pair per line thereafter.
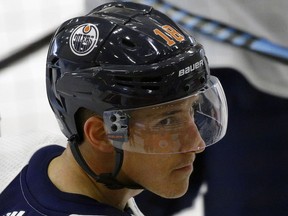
x,y
133,94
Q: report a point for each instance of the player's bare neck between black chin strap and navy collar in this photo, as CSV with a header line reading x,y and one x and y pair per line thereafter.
x,y
68,176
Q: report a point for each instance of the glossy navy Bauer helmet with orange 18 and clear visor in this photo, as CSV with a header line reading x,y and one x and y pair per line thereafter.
x,y
124,57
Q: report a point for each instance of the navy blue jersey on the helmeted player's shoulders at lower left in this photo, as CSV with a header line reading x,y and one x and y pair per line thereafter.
x,y
32,193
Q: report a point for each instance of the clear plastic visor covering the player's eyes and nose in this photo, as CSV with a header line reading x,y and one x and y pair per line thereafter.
x,y
184,125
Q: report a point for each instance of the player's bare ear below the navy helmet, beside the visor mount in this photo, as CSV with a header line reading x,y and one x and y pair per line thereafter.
x,y
95,134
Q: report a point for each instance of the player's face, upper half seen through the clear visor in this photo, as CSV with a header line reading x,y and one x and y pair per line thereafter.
x,y
164,174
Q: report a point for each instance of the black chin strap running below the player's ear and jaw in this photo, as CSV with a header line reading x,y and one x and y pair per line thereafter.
x,y
108,179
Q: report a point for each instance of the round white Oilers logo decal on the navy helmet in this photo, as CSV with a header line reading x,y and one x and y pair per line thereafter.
x,y
83,39
